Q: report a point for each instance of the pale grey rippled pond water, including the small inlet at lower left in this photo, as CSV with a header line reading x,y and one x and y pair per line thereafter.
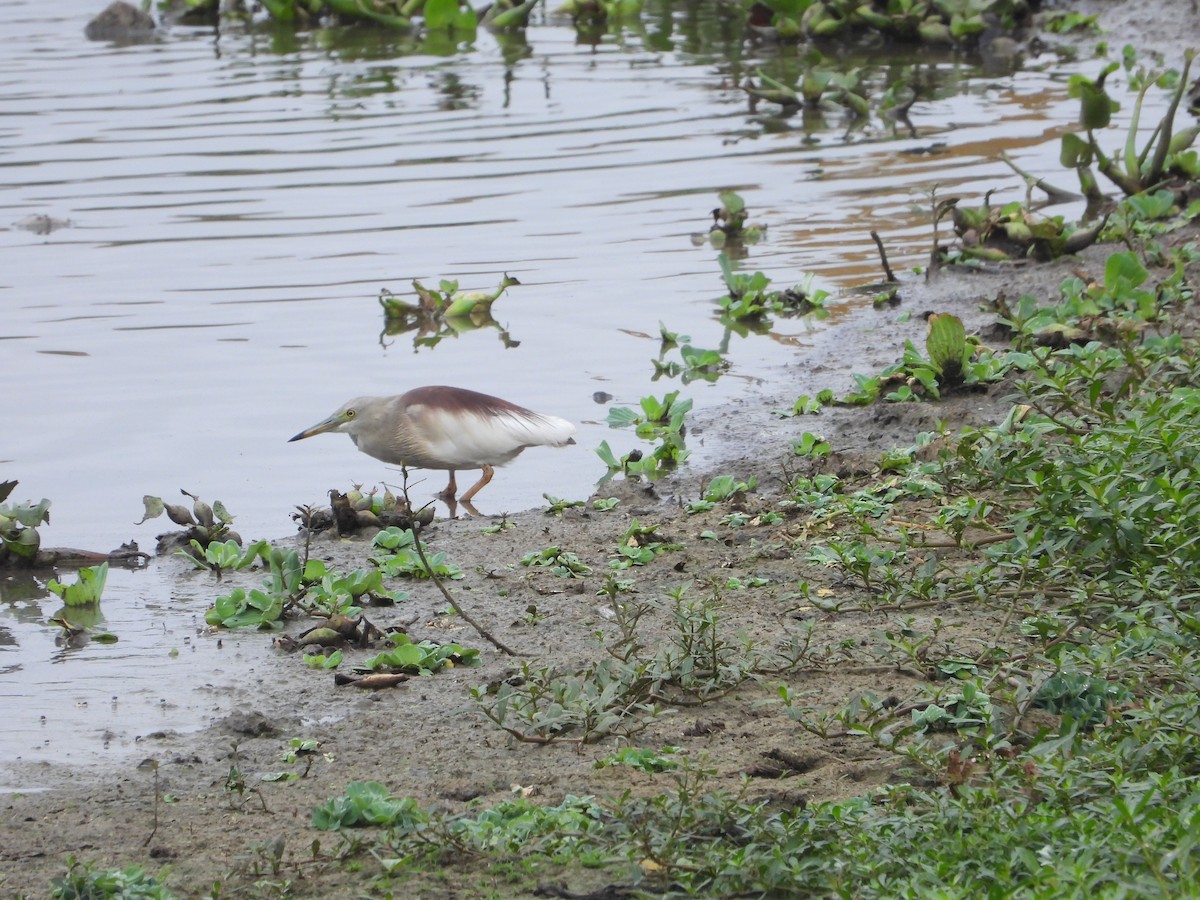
x,y
237,202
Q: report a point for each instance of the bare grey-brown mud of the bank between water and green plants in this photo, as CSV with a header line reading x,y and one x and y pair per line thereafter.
x,y
427,739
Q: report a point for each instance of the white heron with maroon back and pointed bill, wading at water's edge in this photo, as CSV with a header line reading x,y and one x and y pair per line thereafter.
x,y
440,428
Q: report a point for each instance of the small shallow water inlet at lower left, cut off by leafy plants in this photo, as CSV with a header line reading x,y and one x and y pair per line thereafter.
x,y
80,703
